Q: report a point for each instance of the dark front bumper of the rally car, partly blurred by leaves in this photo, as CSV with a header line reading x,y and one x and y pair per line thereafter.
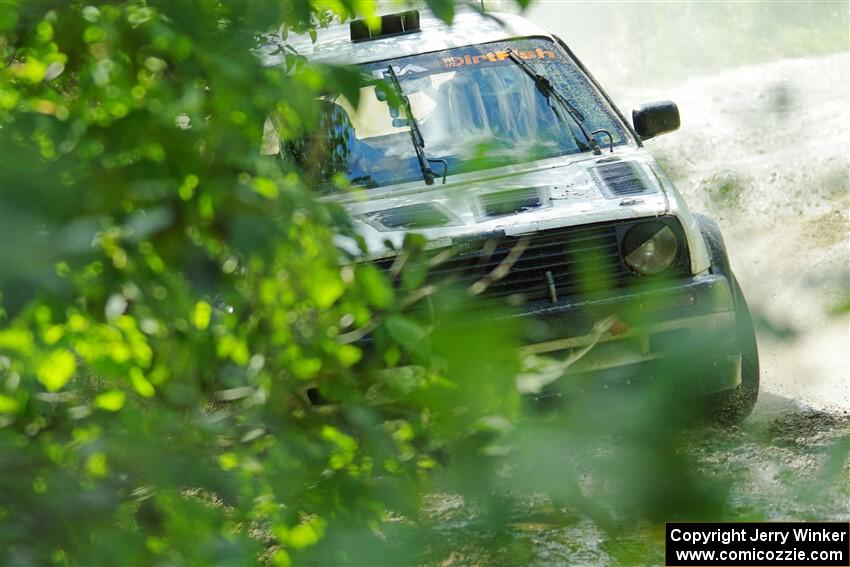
x,y
685,330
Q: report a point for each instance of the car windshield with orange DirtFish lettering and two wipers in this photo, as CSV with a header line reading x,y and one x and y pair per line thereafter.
x,y
476,108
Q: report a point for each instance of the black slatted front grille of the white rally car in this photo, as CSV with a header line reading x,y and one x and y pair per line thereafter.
x,y
555,263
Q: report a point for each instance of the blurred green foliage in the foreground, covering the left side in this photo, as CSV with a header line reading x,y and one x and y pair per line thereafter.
x,y
170,298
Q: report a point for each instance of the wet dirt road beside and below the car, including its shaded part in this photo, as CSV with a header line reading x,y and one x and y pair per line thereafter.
x,y
764,150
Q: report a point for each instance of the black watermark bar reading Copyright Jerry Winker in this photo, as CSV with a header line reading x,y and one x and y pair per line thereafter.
x,y
822,544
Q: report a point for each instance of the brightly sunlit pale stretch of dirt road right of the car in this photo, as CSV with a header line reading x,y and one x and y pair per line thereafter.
x,y
764,150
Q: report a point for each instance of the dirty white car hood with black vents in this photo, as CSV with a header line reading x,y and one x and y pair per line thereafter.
x,y
564,191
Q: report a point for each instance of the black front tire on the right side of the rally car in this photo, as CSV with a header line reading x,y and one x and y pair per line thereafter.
x,y
733,406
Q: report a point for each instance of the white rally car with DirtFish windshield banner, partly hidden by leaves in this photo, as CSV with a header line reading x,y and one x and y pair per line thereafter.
x,y
489,138
